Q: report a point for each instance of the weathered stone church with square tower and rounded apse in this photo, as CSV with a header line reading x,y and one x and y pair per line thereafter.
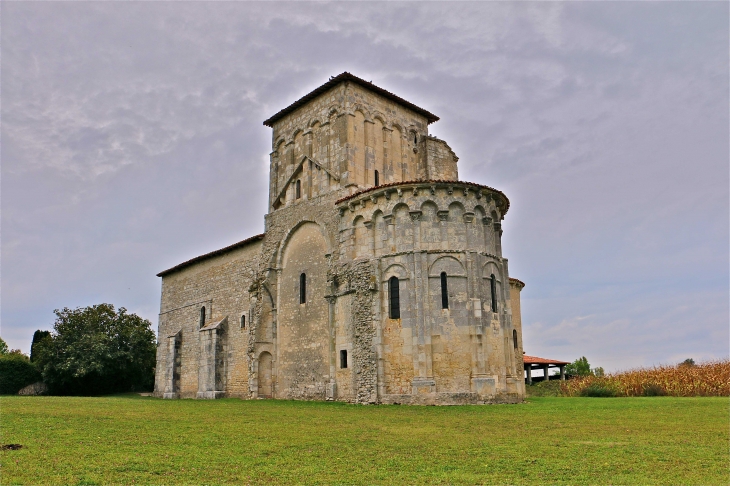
x,y
379,278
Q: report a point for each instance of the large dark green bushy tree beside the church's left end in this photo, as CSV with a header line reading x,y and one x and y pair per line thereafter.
x,y
95,350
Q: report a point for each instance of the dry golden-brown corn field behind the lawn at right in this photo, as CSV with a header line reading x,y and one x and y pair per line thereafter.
x,y
709,379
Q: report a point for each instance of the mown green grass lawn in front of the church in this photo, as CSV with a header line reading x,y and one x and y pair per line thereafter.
x,y
125,440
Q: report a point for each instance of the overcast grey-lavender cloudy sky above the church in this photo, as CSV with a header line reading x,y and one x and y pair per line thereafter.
x,y
132,140
